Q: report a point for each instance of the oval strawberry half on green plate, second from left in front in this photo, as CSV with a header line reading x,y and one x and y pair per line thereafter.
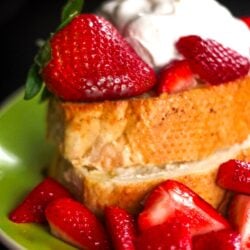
x,y
74,223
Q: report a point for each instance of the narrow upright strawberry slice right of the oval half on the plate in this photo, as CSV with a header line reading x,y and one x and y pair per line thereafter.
x,y
121,228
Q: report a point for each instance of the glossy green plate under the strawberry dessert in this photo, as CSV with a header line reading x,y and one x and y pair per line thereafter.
x,y
24,153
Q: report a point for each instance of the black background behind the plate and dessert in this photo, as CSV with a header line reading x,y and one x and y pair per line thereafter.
x,y
23,21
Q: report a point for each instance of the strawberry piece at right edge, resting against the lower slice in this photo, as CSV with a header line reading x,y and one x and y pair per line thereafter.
x,y
235,176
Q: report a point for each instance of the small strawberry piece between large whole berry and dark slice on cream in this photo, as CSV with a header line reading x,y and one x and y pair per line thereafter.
x,y
176,76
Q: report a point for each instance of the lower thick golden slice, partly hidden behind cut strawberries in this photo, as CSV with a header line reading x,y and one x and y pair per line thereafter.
x,y
128,186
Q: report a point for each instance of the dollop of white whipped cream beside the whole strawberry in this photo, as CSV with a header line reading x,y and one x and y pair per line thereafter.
x,y
153,26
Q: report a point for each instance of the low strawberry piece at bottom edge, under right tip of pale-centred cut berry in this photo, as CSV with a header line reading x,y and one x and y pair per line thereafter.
x,y
221,240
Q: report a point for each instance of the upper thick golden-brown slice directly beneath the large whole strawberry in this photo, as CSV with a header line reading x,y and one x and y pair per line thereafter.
x,y
142,132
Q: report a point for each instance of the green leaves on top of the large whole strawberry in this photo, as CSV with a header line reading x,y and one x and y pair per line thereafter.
x,y
34,80
